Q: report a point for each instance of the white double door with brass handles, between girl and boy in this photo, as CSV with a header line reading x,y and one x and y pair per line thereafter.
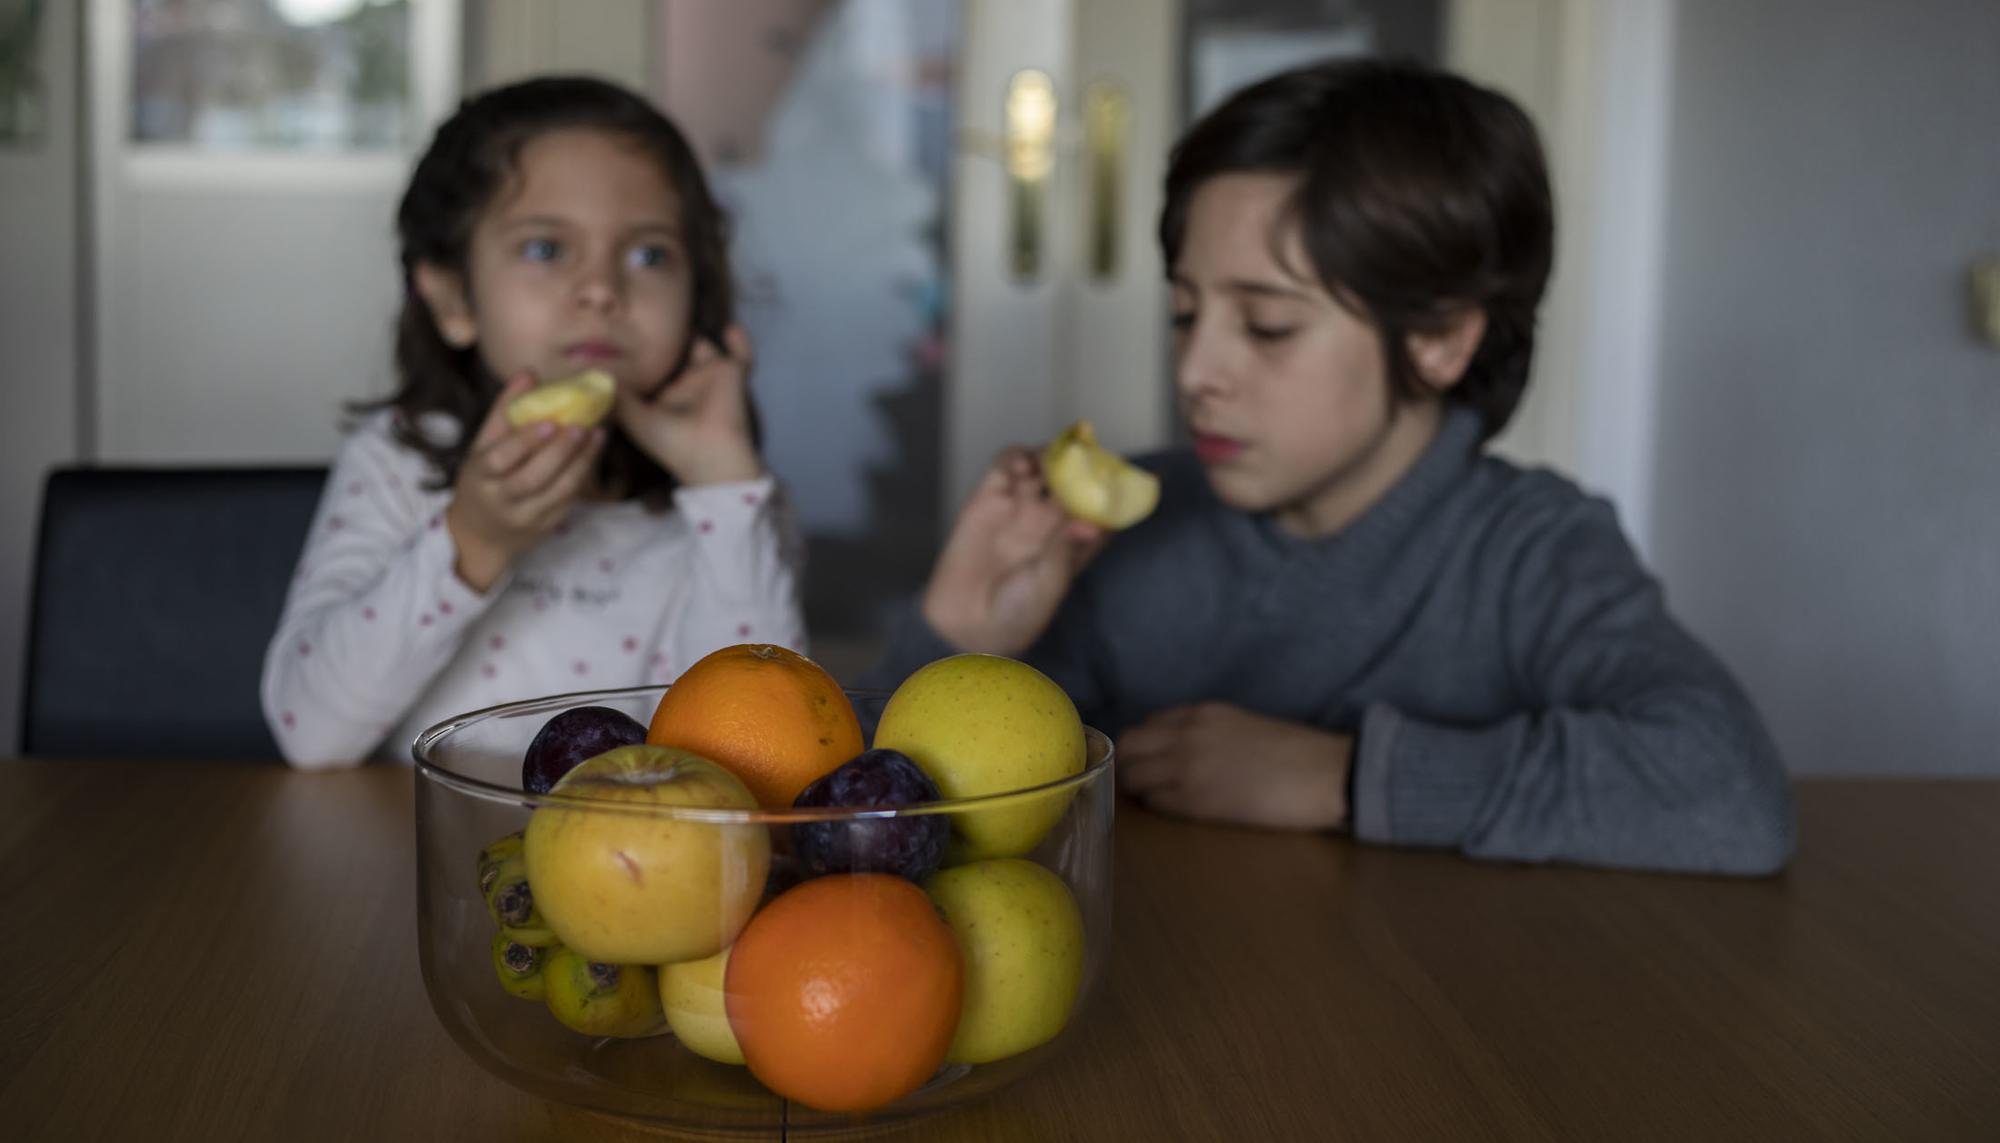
x,y
1067,109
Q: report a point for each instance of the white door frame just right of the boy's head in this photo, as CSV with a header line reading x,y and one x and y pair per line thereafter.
x,y
1597,81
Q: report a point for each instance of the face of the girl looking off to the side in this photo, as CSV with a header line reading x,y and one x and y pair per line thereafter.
x,y
579,263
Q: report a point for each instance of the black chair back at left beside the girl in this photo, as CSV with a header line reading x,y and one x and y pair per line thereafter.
x,y
155,596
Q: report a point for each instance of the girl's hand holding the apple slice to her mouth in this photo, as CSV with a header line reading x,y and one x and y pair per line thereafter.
x,y
515,489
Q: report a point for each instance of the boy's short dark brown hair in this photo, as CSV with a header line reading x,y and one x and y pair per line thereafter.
x,y
1419,195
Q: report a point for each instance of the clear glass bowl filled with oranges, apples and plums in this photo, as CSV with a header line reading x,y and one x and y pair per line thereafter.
x,y
697,950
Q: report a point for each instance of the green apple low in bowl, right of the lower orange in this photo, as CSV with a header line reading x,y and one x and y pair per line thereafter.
x,y
1023,940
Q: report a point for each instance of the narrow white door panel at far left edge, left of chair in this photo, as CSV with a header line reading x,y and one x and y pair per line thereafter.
x,y
39,223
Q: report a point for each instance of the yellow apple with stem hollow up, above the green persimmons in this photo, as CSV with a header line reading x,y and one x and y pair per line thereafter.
x,y
627,882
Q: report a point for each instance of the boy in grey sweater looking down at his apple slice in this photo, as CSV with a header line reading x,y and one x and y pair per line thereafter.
x,y
1343,612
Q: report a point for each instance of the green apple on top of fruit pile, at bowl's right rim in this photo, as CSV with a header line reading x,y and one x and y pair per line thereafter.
x,y
987,724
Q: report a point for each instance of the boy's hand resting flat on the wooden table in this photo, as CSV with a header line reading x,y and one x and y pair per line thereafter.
x,y
1219,762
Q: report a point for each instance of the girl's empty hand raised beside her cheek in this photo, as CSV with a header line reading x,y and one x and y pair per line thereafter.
x,y
699,425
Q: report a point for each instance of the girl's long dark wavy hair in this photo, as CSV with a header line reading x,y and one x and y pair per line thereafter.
x,y
467,165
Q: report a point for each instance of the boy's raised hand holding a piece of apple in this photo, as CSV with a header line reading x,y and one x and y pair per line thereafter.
x,y
1009,563
